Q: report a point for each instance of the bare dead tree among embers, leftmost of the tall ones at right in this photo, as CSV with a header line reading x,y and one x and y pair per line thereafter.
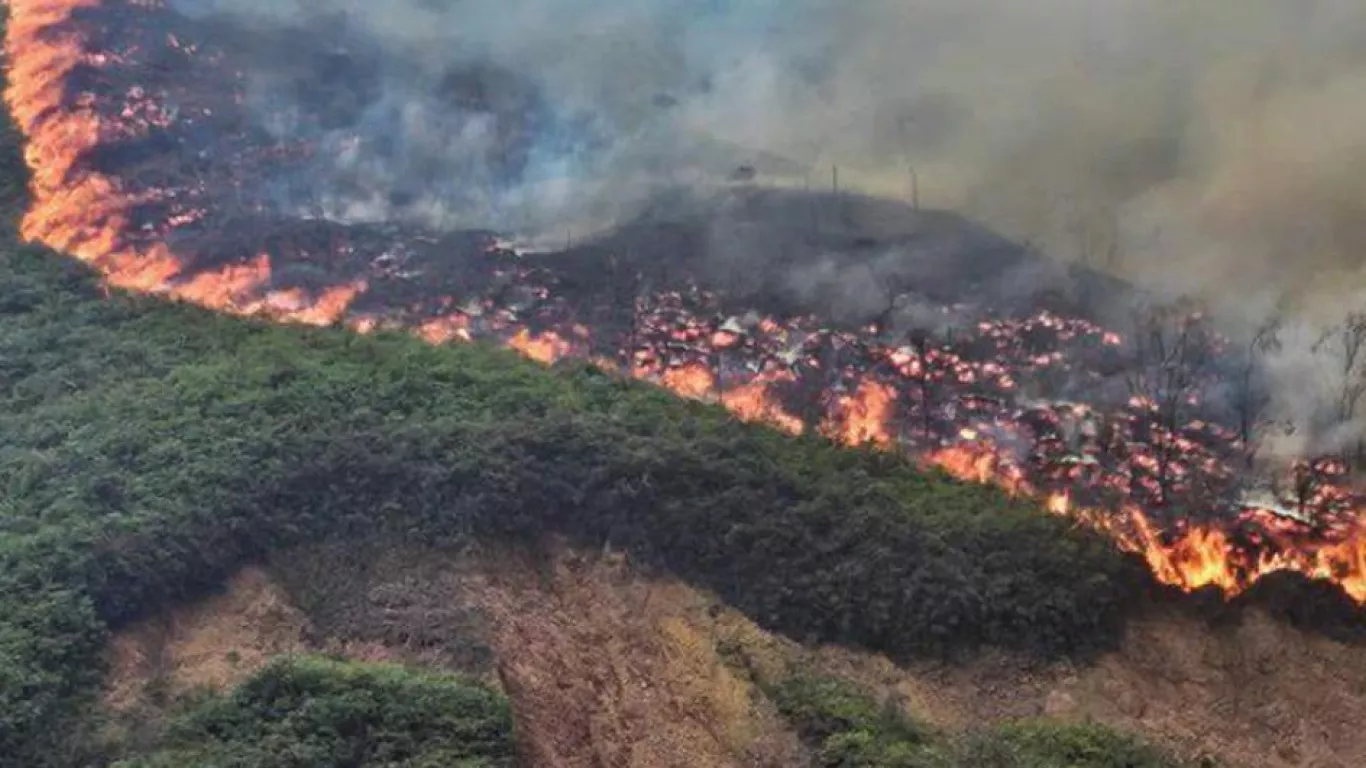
x,y
1171,353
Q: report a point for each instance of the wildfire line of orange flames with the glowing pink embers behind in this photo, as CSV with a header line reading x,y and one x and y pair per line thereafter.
x,y
889,400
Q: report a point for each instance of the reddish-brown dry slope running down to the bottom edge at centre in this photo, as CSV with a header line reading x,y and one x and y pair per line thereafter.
x,y
611,670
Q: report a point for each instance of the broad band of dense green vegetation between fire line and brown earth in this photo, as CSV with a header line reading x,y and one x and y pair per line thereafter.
x,y
148,450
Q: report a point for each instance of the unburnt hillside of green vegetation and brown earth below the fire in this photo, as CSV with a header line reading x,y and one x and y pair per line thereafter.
x,y
152,450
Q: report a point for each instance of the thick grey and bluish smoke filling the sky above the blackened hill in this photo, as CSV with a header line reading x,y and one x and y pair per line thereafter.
x,y
1215,147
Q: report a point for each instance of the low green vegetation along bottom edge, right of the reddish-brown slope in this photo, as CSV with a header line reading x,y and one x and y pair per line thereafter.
x,y
848,729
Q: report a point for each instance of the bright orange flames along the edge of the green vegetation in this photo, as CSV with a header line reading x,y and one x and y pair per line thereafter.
x,y
89,215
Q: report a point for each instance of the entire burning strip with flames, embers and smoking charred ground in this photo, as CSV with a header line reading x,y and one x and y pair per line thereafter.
x,y
145,167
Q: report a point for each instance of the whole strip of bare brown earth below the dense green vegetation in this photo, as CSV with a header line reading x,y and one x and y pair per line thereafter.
x,y
609,668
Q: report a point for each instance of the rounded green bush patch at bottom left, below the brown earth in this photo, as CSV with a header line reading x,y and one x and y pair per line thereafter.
x,y
326,714
